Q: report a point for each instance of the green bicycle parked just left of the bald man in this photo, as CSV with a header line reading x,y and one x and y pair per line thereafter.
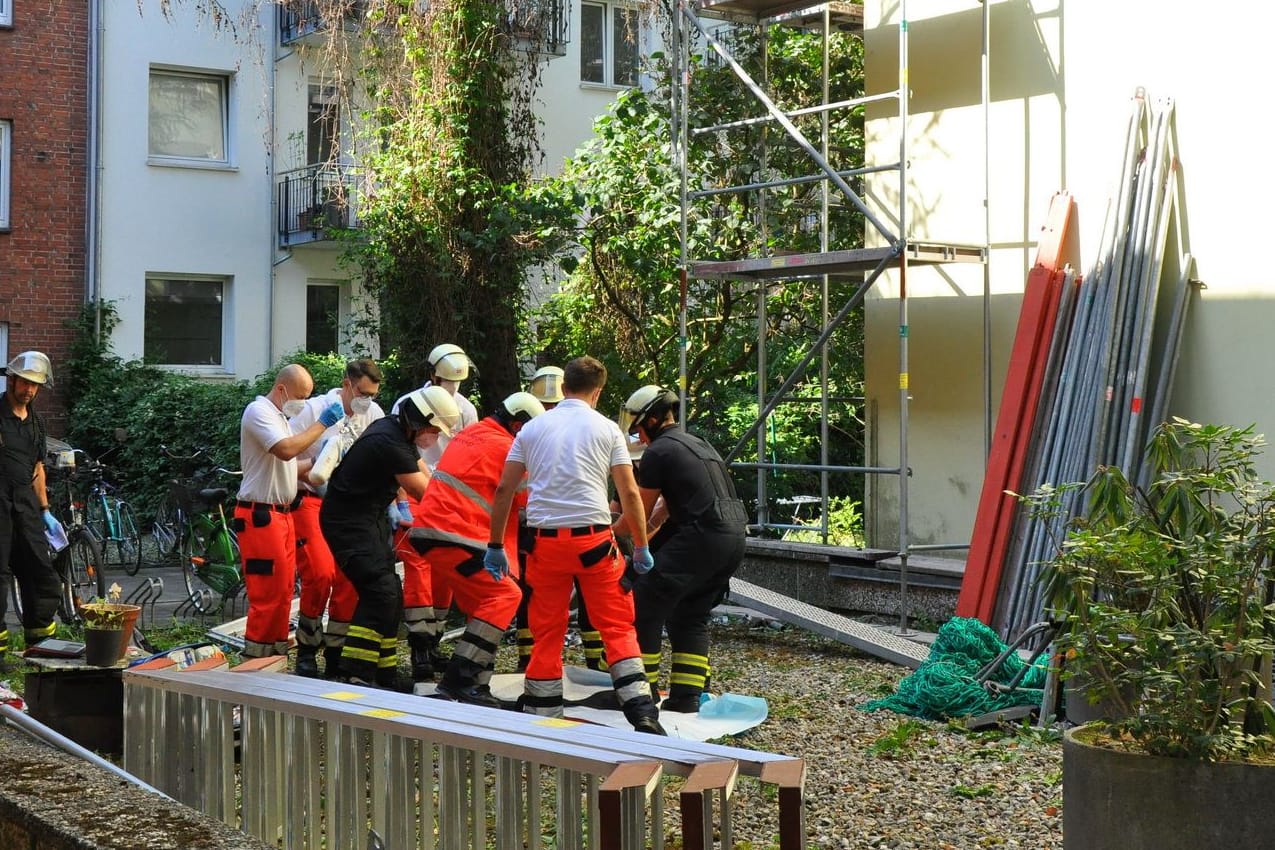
x,y
192,523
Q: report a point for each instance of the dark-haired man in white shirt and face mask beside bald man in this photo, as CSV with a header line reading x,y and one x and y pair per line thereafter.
x,y
323,587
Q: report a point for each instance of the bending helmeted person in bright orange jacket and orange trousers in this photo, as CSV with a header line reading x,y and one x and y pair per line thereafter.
x,y
451,536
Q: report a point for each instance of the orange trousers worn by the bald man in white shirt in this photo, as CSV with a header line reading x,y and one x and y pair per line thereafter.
x,y
270,558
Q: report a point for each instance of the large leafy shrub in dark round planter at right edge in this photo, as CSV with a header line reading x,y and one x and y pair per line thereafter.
x,y
1169,600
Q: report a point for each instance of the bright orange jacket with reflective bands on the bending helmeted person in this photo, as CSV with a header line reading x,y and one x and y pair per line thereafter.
x,y
456,509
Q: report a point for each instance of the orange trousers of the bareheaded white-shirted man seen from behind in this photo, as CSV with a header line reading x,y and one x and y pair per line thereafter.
x,y
553,569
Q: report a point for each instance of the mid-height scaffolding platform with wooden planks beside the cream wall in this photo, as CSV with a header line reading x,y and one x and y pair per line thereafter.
x,y
845,264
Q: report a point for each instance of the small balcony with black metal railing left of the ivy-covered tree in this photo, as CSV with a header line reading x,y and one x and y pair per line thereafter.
x,y
316,203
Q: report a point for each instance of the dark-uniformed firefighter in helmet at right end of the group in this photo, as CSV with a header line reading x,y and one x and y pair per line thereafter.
x,y
701,545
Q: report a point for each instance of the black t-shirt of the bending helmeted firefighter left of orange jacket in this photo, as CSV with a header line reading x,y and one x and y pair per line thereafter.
x,y
365,482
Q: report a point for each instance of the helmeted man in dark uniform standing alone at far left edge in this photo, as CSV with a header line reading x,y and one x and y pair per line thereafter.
x,y
25,517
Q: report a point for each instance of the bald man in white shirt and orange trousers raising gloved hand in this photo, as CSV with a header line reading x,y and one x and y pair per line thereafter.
x,y
263,512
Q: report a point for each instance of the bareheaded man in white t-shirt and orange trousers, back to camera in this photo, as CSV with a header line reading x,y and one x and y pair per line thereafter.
x,y
568,454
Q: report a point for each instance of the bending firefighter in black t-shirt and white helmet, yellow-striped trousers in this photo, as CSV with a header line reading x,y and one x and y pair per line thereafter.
x,y
358,529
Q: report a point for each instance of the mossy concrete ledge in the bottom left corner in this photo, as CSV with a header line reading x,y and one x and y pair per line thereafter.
x,y
50,801
